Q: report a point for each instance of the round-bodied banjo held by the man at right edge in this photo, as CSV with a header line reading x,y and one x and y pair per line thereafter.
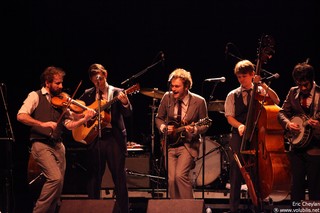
x,y
301,139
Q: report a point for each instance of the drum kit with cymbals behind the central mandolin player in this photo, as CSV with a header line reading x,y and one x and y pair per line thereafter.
x,y
215,161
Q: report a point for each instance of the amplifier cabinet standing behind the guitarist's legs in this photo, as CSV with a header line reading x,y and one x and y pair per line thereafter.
x,y
139,167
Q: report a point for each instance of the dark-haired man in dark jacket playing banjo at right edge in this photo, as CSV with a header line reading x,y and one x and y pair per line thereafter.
x,y
302,104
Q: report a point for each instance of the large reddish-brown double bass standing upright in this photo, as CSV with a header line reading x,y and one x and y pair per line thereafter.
x,y
267,167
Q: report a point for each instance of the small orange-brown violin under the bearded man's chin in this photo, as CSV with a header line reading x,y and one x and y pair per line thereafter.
x,y
63,100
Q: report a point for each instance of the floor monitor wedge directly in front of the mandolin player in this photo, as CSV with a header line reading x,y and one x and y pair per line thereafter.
x,y
175,205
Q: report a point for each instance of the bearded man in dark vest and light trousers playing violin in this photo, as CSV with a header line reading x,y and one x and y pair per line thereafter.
x,y
47,123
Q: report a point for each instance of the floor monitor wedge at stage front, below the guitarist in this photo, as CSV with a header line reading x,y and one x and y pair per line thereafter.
x,y
88,206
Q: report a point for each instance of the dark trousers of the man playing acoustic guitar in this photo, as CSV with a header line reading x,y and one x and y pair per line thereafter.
x,y
108,150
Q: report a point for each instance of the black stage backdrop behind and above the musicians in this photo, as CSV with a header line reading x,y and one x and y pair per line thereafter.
x,y
127,37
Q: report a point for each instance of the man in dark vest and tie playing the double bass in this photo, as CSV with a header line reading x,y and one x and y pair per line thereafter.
x,y
236,109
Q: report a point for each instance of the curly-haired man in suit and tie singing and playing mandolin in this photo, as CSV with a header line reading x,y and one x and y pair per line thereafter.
x,y
183,146
